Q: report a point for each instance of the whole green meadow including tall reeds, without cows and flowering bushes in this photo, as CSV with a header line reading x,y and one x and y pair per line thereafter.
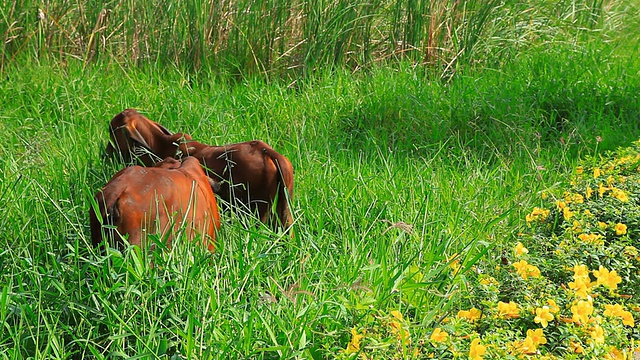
x,y
418,142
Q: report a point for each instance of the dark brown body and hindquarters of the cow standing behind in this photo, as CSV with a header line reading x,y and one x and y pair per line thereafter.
x,y
250,172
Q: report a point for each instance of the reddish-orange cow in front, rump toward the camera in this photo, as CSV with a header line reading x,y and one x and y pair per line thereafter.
x,y
163,199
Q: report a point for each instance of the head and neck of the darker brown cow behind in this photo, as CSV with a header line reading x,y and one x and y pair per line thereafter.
x,y
134,136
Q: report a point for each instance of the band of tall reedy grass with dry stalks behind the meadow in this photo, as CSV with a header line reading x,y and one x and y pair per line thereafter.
x,y
289,38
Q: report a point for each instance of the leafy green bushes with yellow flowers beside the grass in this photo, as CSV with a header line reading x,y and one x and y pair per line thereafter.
x,y
566,288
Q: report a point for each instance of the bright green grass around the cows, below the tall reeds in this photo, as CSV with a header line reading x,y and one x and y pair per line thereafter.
x,y
458,161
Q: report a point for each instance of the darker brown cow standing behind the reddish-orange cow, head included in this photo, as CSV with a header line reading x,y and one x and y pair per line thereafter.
x,y
251,173
